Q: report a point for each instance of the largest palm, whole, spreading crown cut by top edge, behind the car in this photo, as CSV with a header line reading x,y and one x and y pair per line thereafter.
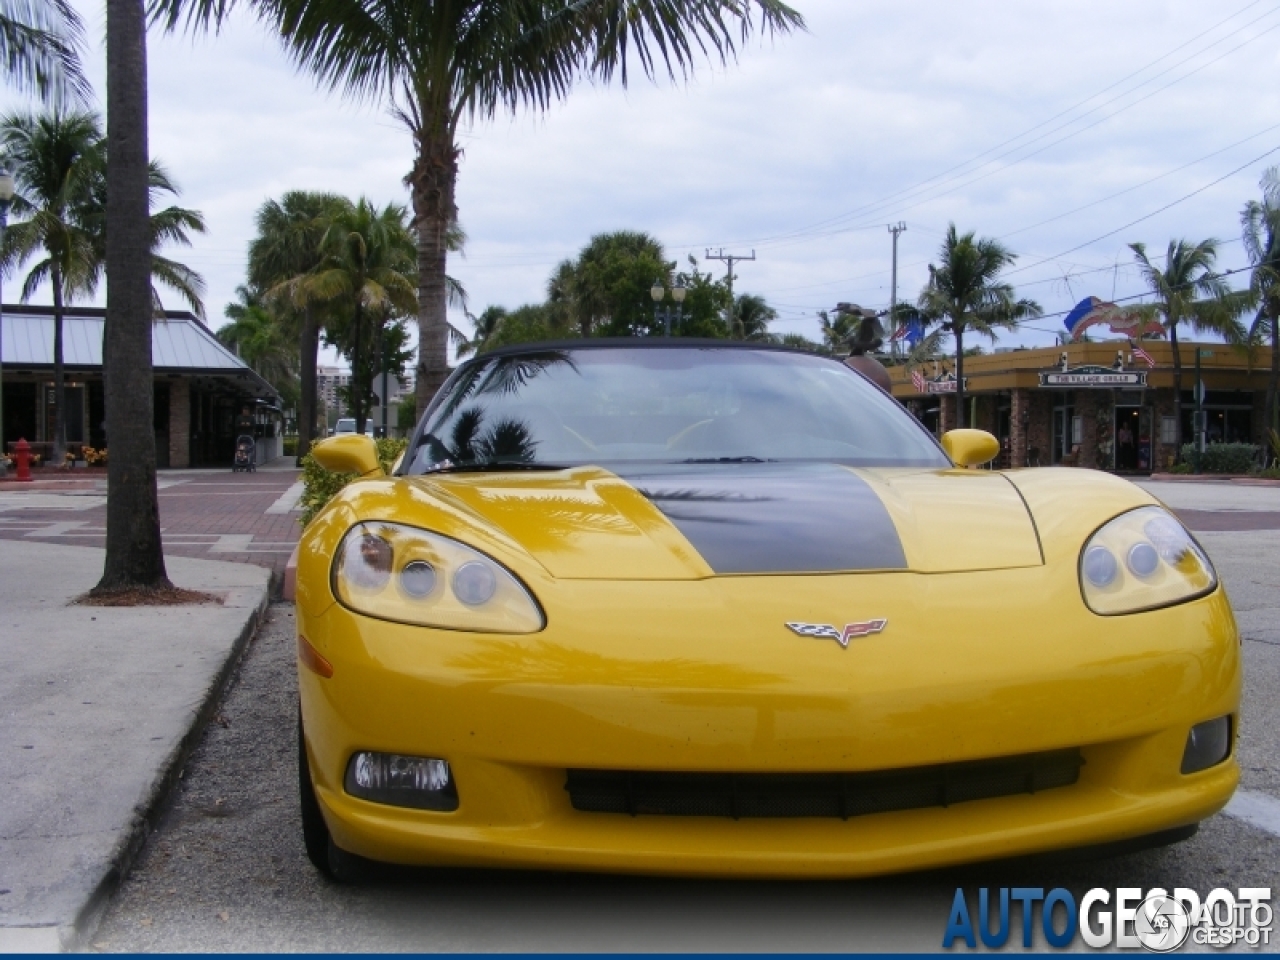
x,y
447,65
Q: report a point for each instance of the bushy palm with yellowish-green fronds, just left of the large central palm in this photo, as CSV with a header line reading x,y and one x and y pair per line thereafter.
x,y
367,273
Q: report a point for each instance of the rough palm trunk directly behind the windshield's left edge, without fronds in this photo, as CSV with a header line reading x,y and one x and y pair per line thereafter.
x,y
433,182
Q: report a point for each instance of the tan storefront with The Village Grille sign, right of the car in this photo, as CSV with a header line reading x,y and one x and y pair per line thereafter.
x,y
1096,405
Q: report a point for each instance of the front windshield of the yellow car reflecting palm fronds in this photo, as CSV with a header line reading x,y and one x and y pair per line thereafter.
x,y
664,405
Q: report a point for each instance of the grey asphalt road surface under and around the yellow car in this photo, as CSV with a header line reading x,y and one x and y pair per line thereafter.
x,y
227,871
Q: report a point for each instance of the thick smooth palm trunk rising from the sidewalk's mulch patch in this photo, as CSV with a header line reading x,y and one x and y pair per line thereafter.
x,y
135,556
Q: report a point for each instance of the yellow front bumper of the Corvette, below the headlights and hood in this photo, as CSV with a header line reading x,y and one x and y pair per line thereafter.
x,y
703,678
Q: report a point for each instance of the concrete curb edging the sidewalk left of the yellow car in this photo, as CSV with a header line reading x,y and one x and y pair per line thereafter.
x,y
77,938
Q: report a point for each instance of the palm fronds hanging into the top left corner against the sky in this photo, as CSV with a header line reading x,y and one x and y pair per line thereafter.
x,y
40,43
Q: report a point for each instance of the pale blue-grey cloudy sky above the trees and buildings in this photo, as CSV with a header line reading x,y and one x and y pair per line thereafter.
x,y
1066,129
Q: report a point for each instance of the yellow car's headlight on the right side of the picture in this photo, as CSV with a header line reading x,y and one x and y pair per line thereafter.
x,y
1141,561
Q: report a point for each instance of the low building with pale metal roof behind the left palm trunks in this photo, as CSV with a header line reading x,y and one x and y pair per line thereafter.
x,y
199,388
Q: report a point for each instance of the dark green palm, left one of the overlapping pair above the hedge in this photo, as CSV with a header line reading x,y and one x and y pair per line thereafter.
x,y
287,246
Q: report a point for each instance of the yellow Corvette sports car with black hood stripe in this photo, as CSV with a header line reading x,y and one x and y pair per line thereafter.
x,y
687,607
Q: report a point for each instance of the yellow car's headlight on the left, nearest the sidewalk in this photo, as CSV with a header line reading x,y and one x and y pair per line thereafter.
x,y
403,574
